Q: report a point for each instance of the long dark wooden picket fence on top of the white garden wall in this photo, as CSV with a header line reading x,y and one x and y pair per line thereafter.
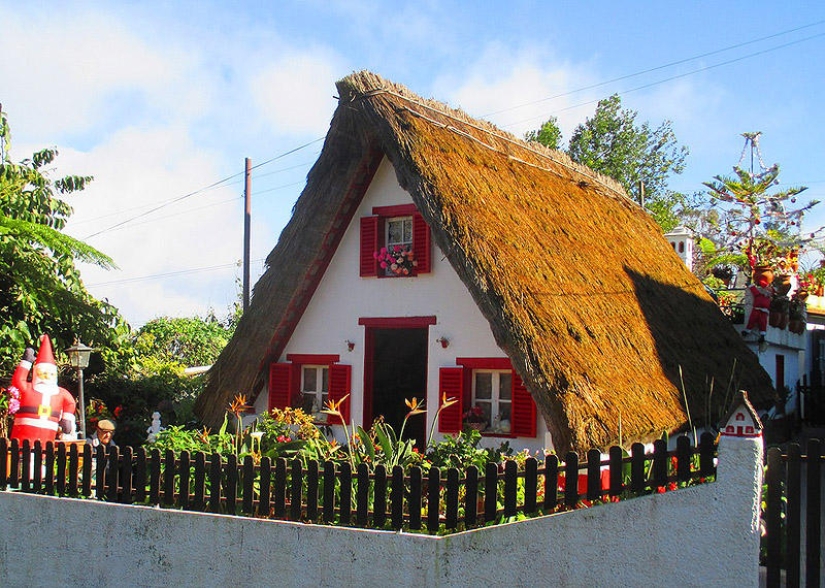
x,y
333,493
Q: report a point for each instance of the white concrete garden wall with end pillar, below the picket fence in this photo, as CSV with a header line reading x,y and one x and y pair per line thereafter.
x,y
700,536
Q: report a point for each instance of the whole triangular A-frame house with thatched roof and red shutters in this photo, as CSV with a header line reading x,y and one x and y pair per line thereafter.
x,y
540,294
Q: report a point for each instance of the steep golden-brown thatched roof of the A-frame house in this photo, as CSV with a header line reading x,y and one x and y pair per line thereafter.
x,y
598,314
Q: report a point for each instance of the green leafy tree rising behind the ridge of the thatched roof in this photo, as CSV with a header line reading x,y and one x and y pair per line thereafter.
x,y
612,143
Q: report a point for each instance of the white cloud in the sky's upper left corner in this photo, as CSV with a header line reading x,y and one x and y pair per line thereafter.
x,y
71,73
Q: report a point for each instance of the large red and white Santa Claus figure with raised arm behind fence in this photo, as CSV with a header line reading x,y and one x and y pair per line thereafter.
x,y
46,410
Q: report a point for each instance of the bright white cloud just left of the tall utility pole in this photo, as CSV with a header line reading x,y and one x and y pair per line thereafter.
x,y
135,172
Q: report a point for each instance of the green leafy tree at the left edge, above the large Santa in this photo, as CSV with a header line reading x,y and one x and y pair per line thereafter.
x,y
41,290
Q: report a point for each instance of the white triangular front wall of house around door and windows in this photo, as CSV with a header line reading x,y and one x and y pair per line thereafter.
x,y
342,297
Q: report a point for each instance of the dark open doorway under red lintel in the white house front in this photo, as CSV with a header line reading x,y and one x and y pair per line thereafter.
x,y
396,369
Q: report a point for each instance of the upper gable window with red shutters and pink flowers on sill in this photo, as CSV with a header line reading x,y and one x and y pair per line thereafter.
x,y
395,242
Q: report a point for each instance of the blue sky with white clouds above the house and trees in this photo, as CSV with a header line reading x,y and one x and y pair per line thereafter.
x,y
162,101
